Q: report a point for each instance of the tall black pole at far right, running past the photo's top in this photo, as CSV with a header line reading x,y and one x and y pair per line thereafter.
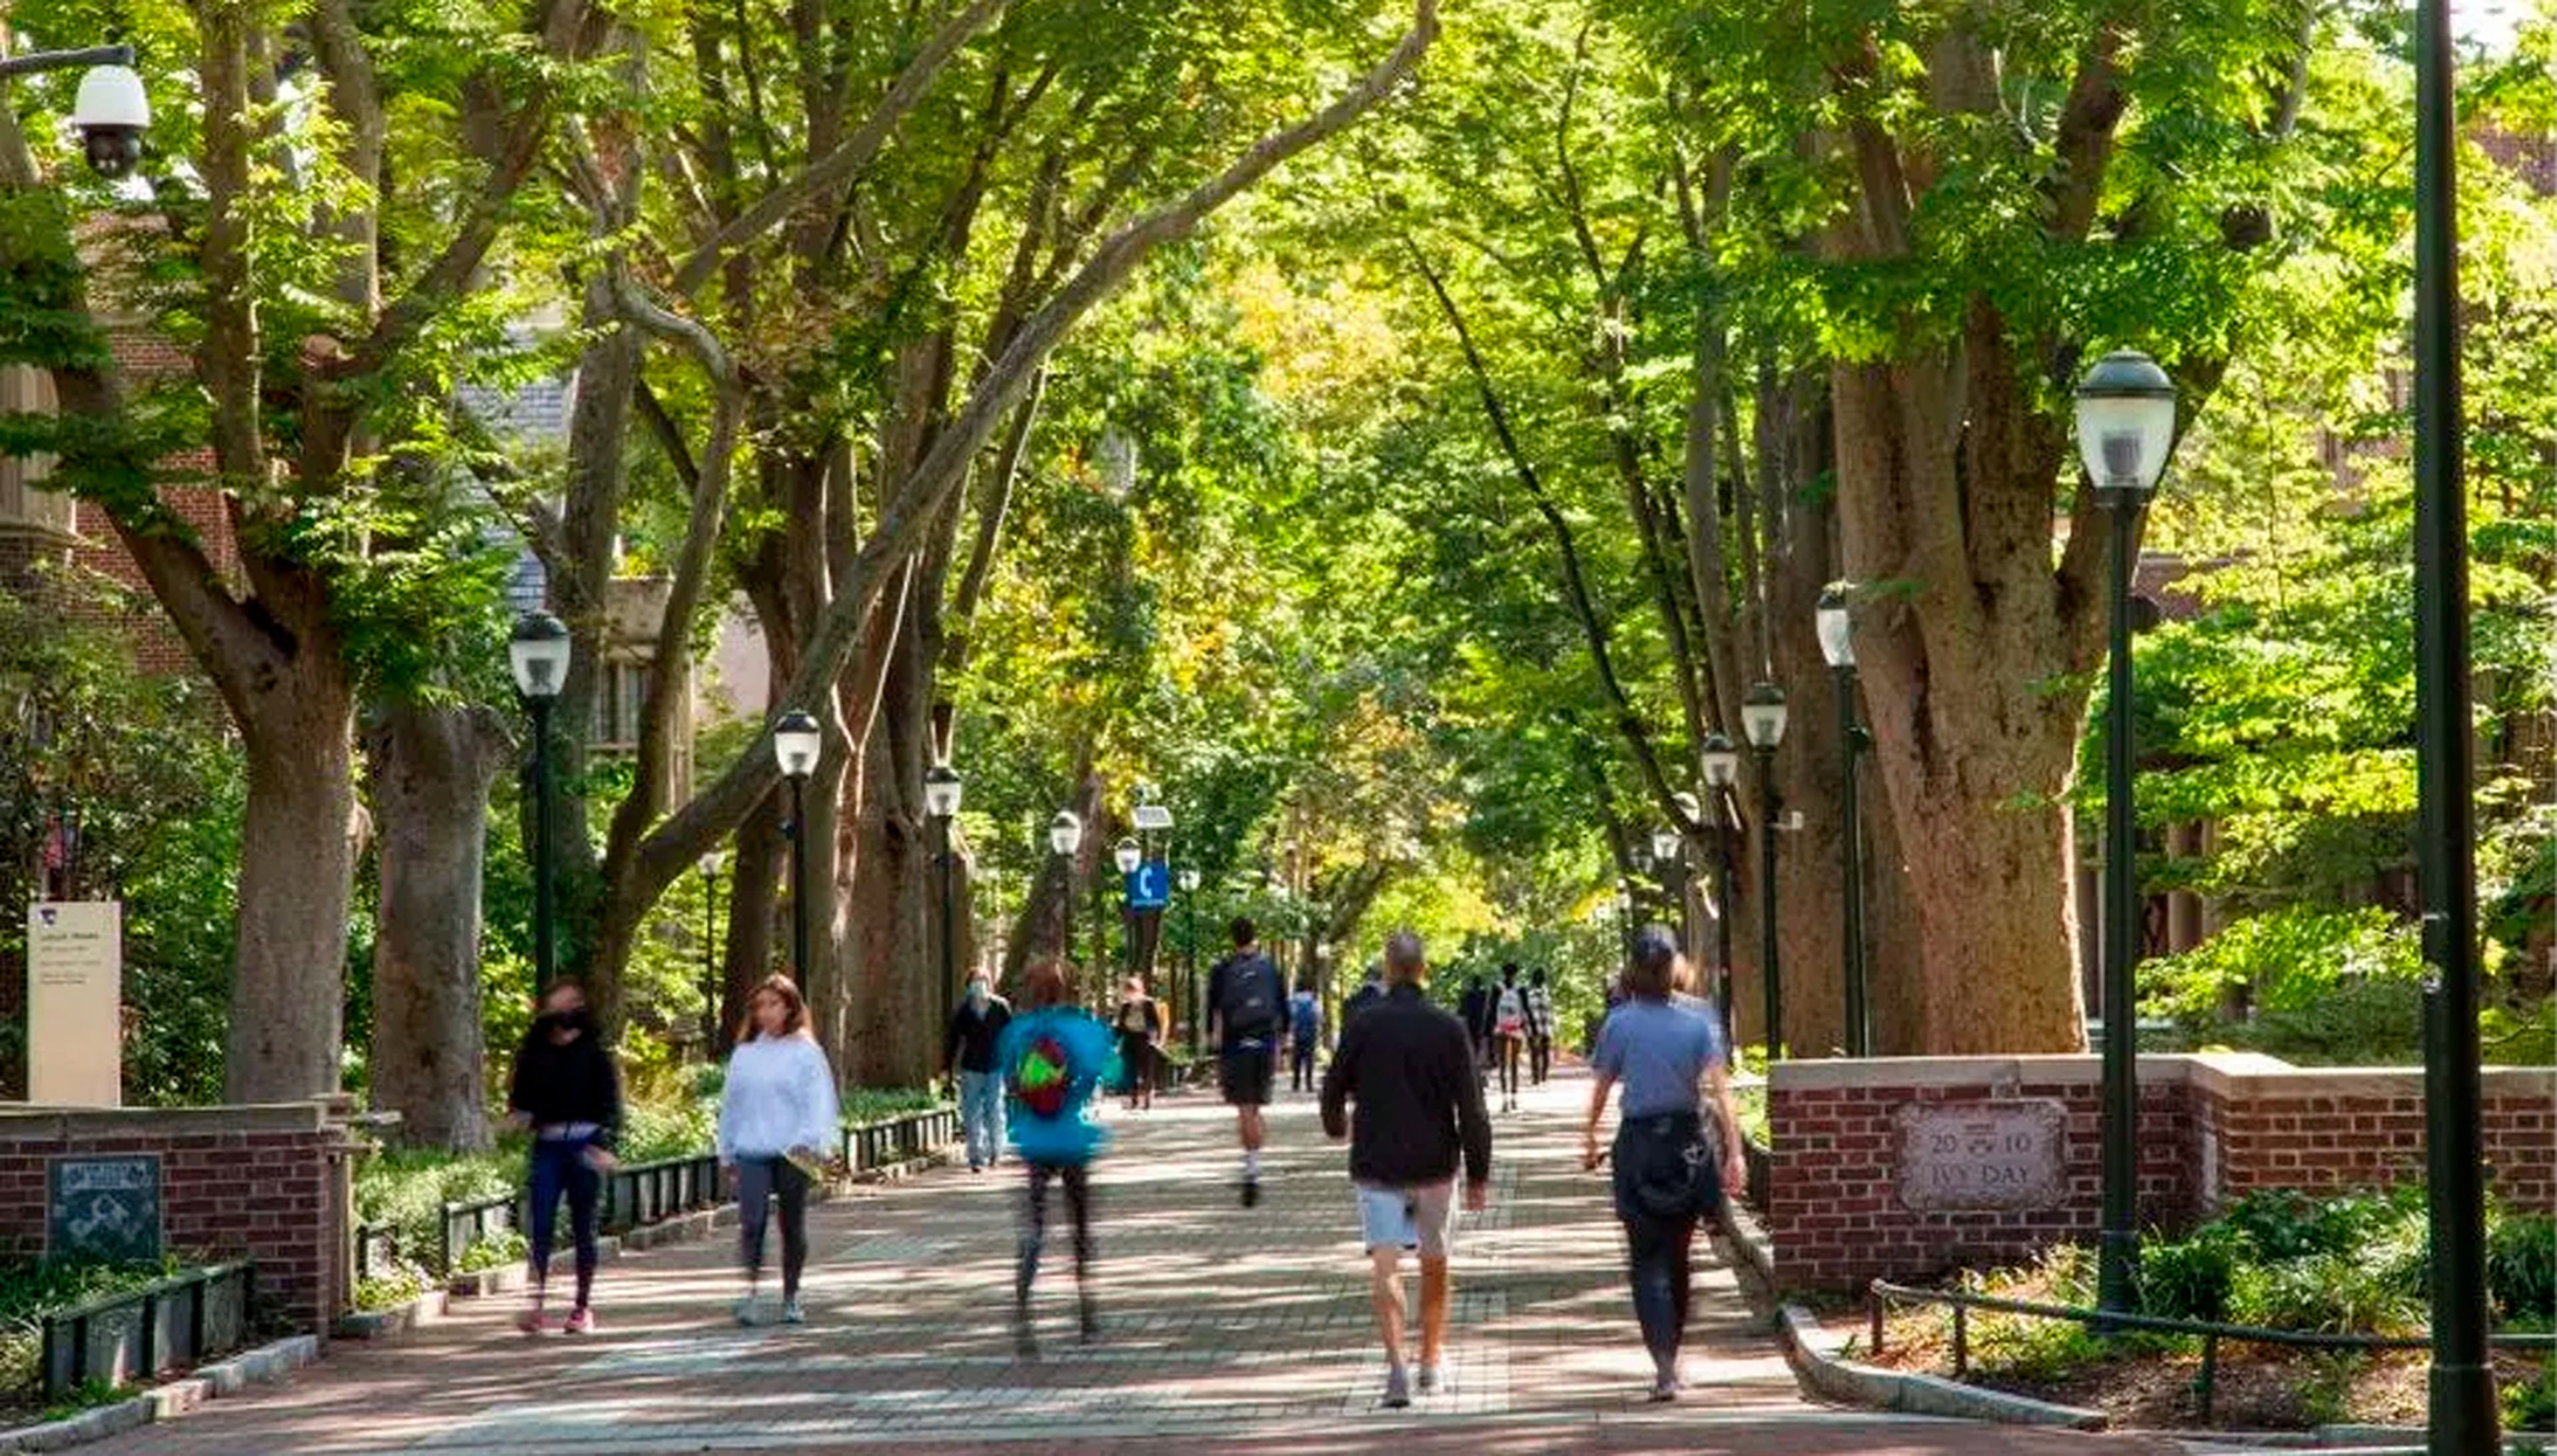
x,y
2464,1381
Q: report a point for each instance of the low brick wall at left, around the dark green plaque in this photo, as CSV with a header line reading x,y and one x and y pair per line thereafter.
x,y
237,1181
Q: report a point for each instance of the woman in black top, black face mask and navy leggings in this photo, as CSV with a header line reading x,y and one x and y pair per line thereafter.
x,y
569,1095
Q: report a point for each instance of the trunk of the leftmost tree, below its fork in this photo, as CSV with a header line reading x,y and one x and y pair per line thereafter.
x,y
298,867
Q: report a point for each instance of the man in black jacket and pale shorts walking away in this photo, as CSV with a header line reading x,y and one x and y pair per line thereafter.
x,y
1420,1110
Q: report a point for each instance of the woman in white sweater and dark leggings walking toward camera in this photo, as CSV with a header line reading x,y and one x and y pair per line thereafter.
x,y
776,1120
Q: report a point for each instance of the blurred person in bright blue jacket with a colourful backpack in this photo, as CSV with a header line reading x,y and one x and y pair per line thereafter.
x,y
1055,1061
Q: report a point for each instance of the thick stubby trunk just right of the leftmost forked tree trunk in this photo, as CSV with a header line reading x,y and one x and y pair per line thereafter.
x,y
431,785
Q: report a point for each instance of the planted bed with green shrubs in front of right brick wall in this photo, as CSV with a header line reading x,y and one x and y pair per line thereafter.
x,y
2272,1261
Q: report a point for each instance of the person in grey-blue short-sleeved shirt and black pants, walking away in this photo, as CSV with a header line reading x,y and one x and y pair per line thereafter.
x,y
1668,1054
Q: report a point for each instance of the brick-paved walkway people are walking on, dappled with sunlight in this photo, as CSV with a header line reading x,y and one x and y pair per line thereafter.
x,y
1224,1330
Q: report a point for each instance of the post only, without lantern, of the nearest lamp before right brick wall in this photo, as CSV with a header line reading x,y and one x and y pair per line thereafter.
x,y
2121,1238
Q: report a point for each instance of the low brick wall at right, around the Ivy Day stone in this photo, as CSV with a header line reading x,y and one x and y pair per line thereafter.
x,y
2213,1128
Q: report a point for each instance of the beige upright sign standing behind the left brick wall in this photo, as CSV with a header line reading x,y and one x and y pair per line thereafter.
x,y
75,980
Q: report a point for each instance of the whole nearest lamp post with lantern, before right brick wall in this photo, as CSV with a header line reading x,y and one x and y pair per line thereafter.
x,y
2126,420
